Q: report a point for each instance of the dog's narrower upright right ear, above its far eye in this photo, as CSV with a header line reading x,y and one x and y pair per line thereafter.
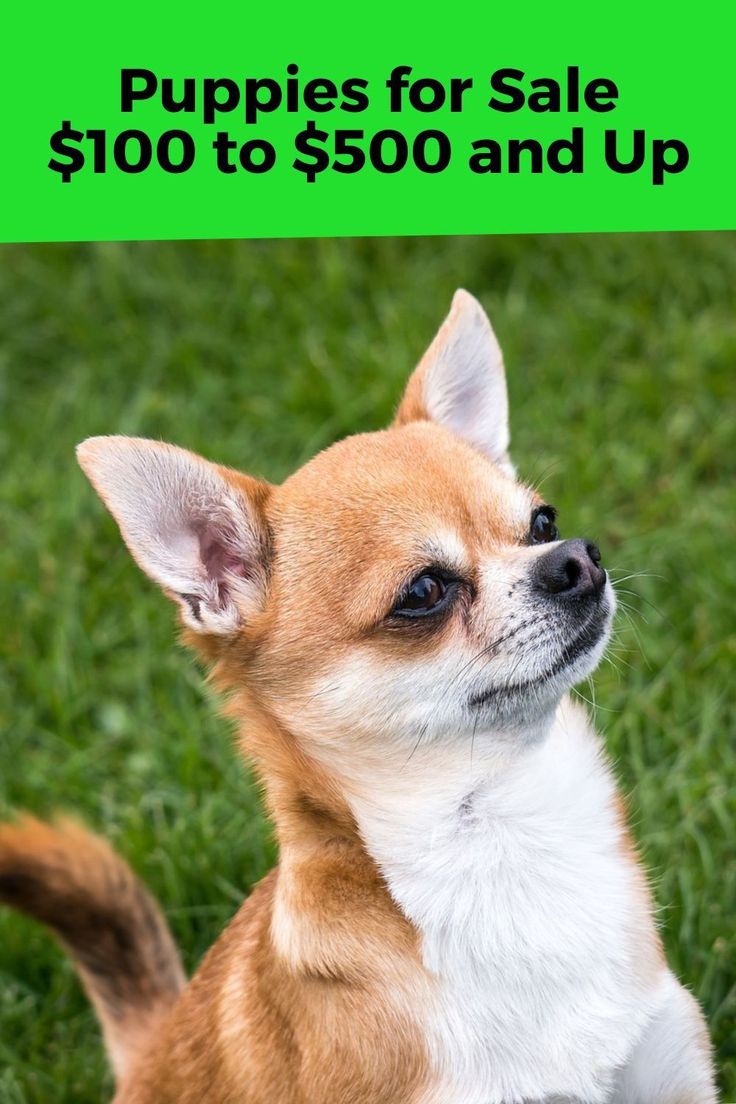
x,y
461,383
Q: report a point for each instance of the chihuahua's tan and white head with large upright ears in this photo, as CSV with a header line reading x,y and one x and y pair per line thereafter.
x,y
402,586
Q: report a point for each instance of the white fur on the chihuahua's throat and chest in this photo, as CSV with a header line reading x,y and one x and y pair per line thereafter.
x,y
531,914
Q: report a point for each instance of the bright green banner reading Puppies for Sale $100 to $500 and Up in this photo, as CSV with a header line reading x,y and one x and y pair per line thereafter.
x,y
237,121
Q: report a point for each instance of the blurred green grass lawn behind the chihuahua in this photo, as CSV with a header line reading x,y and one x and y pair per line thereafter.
x,y
622,354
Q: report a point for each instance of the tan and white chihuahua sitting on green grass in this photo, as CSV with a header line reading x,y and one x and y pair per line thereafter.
x,y
458,916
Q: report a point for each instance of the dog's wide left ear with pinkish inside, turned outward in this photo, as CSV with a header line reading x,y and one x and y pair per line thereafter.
x,y
196,529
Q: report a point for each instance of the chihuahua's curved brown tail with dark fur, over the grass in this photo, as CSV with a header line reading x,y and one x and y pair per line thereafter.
x,y
74,883
